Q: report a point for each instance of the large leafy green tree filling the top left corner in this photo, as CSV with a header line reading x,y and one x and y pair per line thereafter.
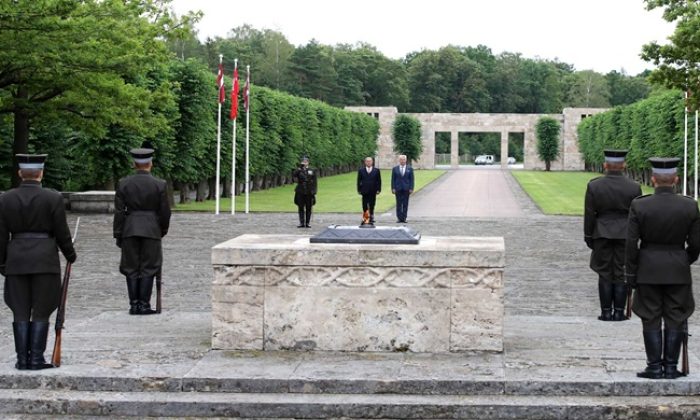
x,y
79,60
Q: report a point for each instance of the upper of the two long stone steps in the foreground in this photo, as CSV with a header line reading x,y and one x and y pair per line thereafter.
x,y
271,385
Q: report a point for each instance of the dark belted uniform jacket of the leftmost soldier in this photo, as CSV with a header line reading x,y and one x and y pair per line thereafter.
x,y
33,209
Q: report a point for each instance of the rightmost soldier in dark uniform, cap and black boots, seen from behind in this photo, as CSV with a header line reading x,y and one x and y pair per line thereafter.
x,y
663,239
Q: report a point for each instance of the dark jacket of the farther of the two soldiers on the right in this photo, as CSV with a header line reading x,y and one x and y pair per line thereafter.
x,y
607,205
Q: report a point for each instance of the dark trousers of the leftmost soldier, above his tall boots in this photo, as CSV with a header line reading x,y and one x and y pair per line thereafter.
x,y
32,296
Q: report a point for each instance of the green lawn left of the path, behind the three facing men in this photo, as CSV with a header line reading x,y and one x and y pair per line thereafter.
x,y
336,194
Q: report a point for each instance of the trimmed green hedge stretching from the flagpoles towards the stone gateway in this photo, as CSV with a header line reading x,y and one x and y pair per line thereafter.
x,y
284,127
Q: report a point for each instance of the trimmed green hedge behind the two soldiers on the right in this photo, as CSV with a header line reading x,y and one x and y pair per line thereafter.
x,y
652,127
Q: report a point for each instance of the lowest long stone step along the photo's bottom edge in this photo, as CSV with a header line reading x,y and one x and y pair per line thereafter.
x,y
212,404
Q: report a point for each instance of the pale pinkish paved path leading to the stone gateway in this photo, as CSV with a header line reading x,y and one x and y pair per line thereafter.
x,y
473,192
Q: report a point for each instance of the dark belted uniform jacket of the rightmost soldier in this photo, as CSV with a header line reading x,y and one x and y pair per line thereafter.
x,y
663,238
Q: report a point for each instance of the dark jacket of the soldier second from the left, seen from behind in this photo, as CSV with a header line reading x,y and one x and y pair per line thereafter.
x,y
141,207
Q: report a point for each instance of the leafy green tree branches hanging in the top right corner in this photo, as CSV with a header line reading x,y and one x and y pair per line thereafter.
x,y
678,62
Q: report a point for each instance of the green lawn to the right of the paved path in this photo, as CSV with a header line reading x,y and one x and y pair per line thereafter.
x,y
558,192
